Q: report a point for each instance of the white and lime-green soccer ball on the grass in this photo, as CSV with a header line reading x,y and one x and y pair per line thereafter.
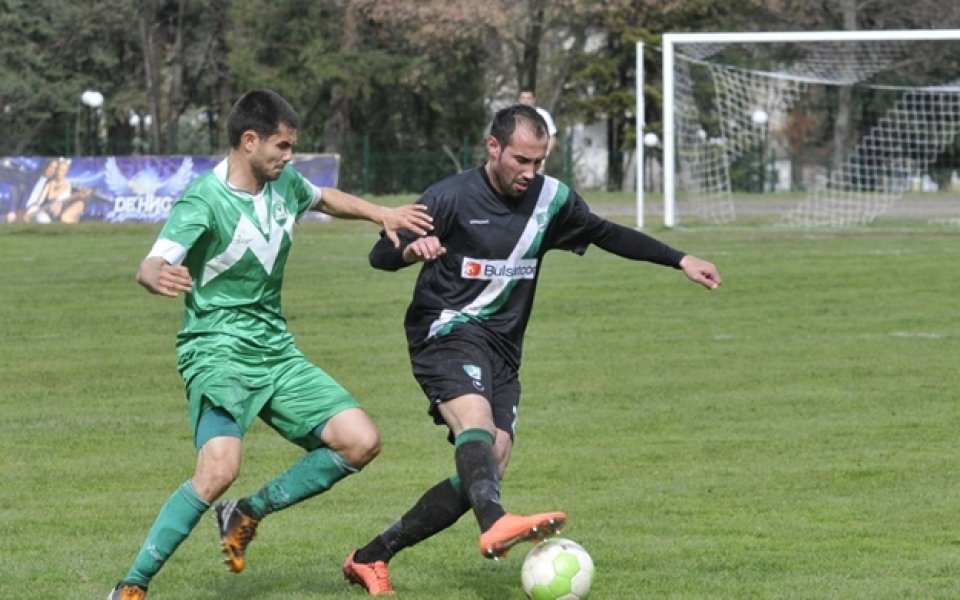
x,y
557,569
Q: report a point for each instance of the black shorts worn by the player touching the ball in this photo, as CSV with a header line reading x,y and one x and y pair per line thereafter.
x,y
454,365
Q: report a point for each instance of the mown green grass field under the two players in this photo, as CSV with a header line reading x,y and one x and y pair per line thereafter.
x,y
792,435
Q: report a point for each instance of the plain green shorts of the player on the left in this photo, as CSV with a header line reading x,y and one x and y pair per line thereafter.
x,y
282,387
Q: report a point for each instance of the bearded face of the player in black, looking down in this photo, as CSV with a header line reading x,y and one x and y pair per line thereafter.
x,y
511,168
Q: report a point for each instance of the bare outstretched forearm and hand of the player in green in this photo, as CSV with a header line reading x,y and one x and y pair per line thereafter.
x,y
410,217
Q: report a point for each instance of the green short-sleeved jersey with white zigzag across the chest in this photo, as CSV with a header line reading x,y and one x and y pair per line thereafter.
x,y
235,245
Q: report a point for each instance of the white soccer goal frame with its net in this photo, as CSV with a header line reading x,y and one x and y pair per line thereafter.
x,y
874,108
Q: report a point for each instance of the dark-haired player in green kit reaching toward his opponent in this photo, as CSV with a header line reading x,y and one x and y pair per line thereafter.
x,y
224,246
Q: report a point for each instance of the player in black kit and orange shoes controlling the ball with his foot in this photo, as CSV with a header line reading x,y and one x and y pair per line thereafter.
x,y
465,326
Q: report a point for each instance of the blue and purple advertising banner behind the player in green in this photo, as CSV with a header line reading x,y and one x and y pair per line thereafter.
x,y
116,189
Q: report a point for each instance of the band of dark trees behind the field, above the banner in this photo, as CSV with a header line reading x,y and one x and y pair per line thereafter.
x,y
407,86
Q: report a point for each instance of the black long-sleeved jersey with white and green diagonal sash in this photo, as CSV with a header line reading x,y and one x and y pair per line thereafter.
x,y
485,283
